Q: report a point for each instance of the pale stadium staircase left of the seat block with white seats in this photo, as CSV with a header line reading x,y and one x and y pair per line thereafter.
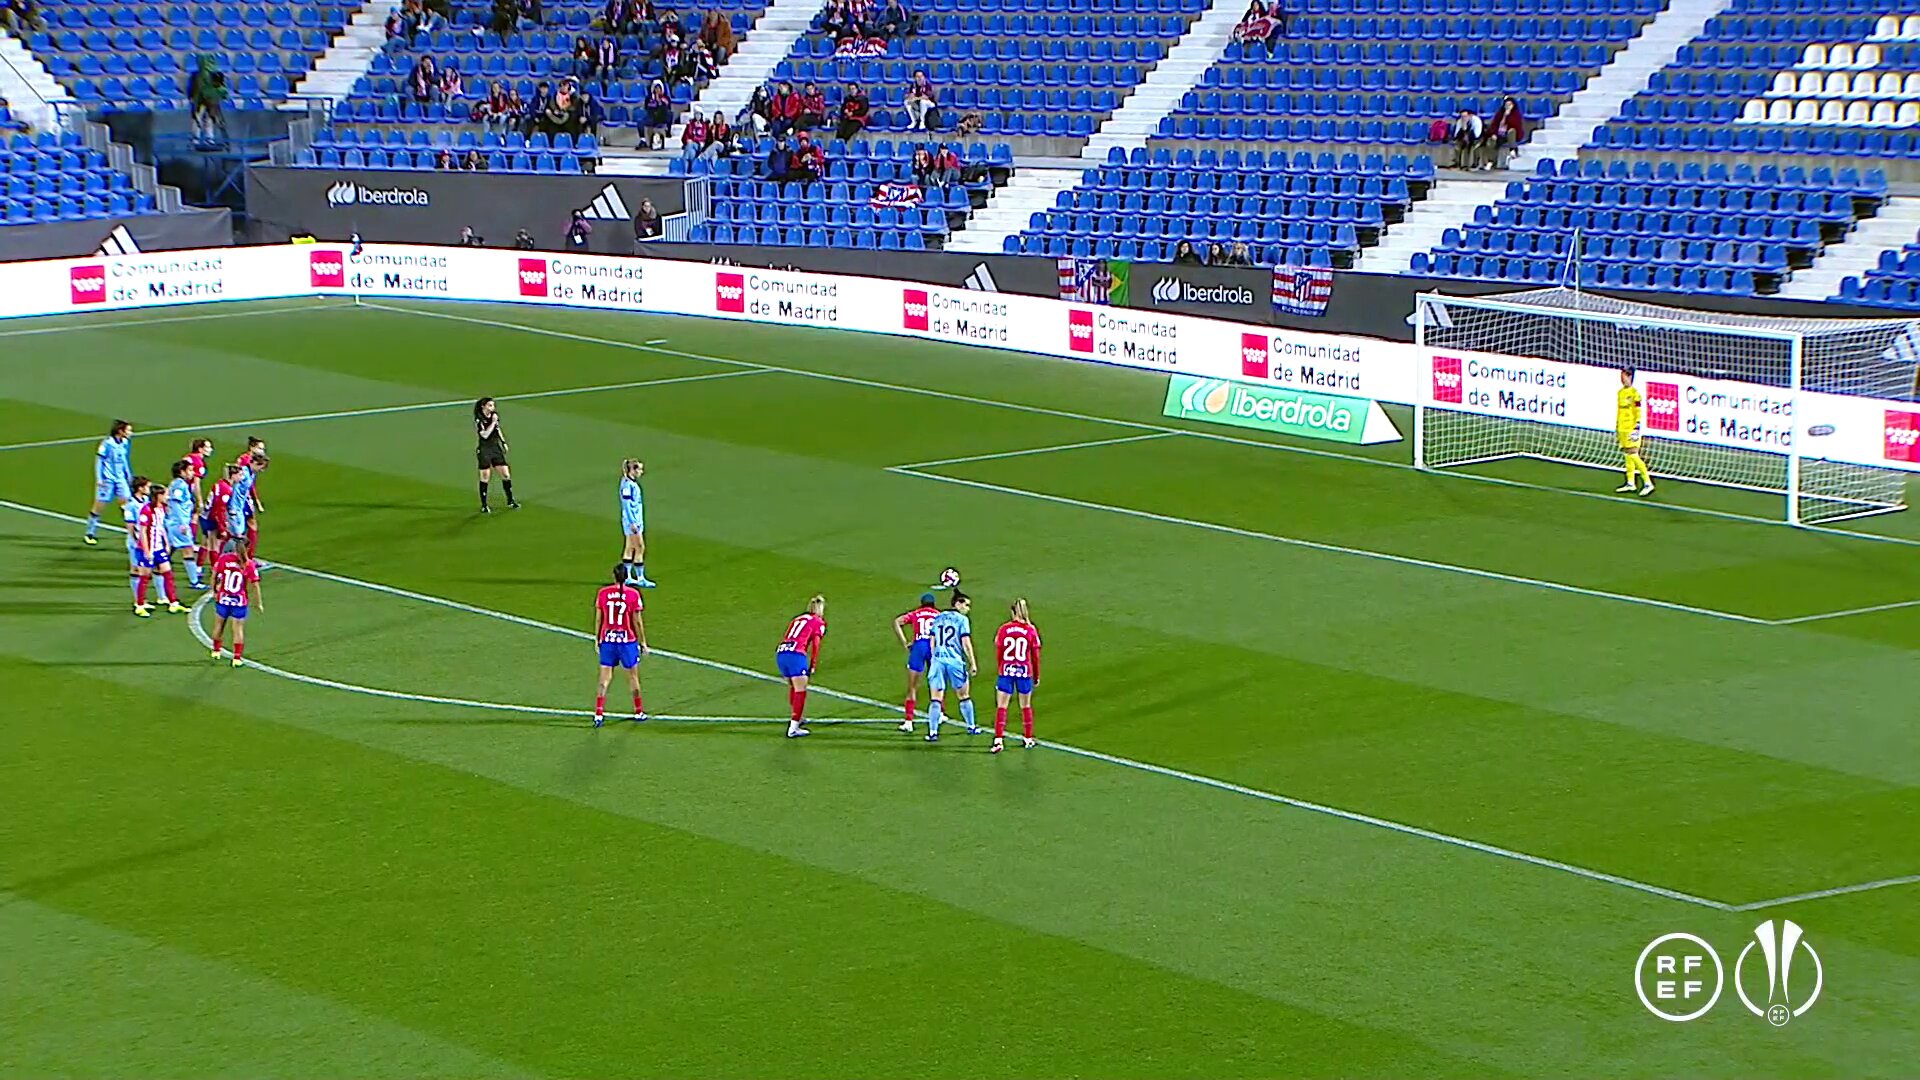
x,y
1454,205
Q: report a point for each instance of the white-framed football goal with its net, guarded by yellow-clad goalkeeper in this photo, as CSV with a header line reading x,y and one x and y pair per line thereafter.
x,y
1537,378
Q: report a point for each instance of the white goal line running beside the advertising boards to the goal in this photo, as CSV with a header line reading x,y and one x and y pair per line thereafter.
x,y
1140,426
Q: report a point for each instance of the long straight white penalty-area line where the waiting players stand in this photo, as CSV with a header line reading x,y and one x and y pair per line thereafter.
x,y
1061,747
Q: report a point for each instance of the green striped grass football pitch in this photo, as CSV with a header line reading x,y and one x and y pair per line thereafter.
x,y
1355,770
